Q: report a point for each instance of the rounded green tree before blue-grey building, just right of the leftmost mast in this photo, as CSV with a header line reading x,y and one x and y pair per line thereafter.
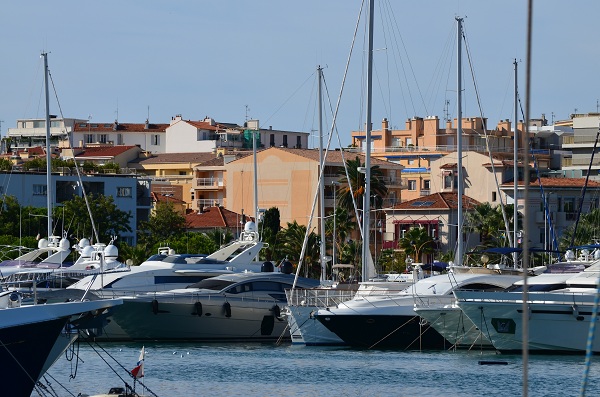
x,y
108,218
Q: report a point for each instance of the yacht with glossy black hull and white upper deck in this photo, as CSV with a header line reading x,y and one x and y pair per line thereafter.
x,y
389,321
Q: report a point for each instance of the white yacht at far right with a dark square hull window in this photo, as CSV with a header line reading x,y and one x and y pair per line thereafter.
x,y
559,320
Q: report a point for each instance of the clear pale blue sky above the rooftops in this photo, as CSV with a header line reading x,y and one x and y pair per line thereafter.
x,y
234,60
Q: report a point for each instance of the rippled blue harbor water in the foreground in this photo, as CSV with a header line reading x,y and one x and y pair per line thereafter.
x,y
289,370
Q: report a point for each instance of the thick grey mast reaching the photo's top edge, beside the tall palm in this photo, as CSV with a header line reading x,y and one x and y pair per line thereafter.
x,y
367,196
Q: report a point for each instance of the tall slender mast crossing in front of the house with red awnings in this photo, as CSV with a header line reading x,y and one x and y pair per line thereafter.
x,y
459,247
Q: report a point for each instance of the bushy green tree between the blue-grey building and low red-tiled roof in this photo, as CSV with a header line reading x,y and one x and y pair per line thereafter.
x,y
162,225
